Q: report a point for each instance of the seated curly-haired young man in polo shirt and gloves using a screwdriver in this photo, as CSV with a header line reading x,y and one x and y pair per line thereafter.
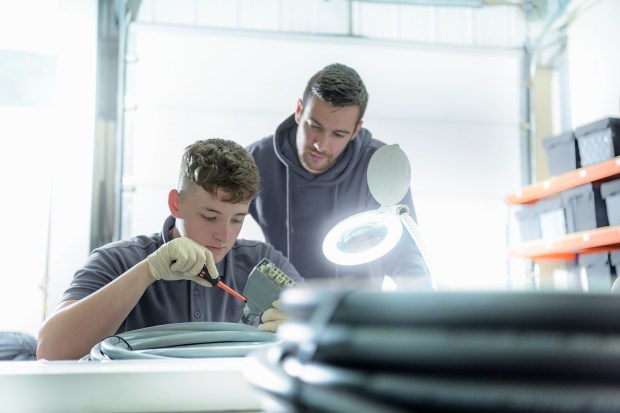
x,y
152,280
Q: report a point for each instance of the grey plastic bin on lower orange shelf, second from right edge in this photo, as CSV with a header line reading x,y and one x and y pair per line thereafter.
x,y
585,209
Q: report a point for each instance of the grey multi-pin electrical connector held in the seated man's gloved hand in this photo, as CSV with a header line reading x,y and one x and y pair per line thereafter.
x,y
262,288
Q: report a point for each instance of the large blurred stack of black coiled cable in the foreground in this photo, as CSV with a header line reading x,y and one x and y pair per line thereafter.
x,y
368,351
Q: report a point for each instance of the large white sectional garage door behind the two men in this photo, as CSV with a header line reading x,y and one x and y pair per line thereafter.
x,y
453,110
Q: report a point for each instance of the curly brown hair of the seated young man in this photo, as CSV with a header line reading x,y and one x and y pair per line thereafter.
x,y
220,164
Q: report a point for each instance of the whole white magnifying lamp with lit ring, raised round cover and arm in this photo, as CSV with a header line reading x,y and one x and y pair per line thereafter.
x,y
369,235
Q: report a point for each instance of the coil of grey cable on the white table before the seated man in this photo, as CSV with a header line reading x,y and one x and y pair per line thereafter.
x,y
183,340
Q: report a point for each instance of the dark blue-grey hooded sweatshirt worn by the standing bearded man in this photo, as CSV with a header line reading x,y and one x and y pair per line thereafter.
x,y
296,209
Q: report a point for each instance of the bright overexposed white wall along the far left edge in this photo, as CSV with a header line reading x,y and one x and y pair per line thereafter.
x,y
46,130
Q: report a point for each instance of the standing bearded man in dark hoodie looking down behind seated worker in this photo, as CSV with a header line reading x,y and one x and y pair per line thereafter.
x,y
313,175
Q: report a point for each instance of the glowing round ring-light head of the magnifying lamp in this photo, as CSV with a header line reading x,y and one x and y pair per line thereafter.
x,y
363,237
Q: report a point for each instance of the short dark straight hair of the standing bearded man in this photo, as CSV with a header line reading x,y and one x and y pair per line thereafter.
x,y
339,85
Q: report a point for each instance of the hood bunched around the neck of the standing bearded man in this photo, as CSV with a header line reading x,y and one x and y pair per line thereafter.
x,y
285,146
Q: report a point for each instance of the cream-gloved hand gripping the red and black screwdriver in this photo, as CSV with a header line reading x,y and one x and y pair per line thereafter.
x,y
181,259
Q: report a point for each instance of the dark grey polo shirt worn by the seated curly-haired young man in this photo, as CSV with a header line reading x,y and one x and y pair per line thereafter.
x,y
166,302
